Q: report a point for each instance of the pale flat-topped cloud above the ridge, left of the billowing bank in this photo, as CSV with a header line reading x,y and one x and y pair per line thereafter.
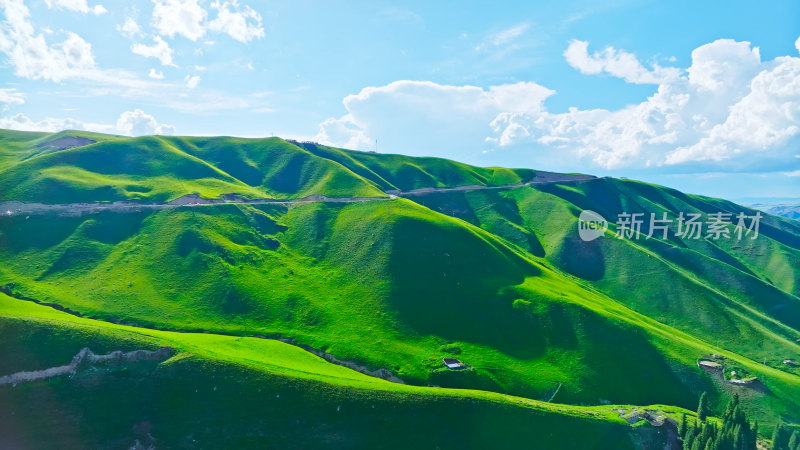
x,y
395,112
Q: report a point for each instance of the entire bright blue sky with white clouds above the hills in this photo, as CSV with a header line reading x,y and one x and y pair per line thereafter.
x,y
701,96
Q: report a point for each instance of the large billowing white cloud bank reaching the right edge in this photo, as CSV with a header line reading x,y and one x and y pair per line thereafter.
x,y
731,112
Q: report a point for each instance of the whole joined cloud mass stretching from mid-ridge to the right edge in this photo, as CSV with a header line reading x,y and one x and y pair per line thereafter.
x,y
729,110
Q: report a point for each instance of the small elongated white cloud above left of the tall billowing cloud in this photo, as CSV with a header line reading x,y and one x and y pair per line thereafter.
x,y
618,63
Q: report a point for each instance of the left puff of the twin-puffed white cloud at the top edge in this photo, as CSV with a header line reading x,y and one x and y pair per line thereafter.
x,y
179,17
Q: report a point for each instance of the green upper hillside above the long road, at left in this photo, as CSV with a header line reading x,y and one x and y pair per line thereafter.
x,y
70,167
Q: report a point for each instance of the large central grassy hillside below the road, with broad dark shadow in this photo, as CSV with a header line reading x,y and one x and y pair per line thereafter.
x,y
390,284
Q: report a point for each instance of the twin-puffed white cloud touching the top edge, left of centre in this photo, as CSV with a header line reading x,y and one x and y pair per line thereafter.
x,y
189,19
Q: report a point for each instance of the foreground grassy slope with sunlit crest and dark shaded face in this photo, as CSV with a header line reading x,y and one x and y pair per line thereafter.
x,y
228,392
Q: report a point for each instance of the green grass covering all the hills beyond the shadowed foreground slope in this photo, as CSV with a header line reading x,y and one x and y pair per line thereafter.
x,y
499,276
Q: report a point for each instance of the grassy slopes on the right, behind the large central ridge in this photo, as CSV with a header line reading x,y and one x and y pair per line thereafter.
x,y
738,294
